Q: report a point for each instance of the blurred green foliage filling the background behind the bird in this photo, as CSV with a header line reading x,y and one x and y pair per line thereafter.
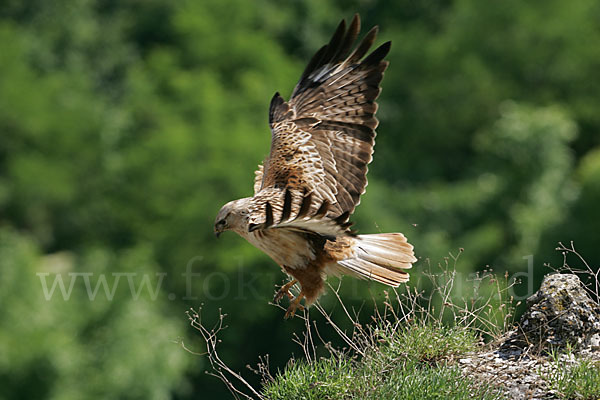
x,y
124,126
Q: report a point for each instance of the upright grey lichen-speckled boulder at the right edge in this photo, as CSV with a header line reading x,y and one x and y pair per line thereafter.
x,y
559,314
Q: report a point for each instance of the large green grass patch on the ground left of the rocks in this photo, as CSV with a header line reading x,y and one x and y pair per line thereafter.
x,y
414,362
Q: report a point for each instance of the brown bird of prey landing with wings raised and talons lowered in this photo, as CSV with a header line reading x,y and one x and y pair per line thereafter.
x,y
306,189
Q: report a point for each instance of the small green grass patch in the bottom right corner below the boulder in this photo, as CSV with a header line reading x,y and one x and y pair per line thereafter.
x,y
577,381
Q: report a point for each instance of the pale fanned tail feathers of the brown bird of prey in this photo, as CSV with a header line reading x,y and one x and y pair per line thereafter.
x,y
383,257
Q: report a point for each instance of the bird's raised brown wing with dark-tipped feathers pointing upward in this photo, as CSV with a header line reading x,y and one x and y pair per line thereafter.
x,y
323,137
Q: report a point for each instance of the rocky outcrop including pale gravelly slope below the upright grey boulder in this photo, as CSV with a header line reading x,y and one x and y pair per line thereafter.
x,y
560,314
